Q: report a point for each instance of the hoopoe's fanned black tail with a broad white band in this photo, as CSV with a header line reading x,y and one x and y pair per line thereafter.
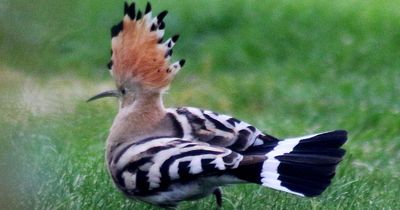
x,y
303,166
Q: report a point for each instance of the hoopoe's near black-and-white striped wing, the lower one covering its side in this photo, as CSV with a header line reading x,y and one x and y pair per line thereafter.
x,y
153,165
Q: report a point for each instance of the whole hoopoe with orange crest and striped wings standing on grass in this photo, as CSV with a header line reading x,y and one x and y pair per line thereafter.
x,y
166,155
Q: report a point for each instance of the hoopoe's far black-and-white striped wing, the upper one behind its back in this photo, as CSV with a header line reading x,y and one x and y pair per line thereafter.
x,y
218,129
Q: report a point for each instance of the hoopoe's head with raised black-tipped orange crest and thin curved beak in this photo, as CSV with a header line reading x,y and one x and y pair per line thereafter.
x,y
140,61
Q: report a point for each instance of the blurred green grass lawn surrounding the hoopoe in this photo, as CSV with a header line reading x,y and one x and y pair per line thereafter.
x,y
288,67
